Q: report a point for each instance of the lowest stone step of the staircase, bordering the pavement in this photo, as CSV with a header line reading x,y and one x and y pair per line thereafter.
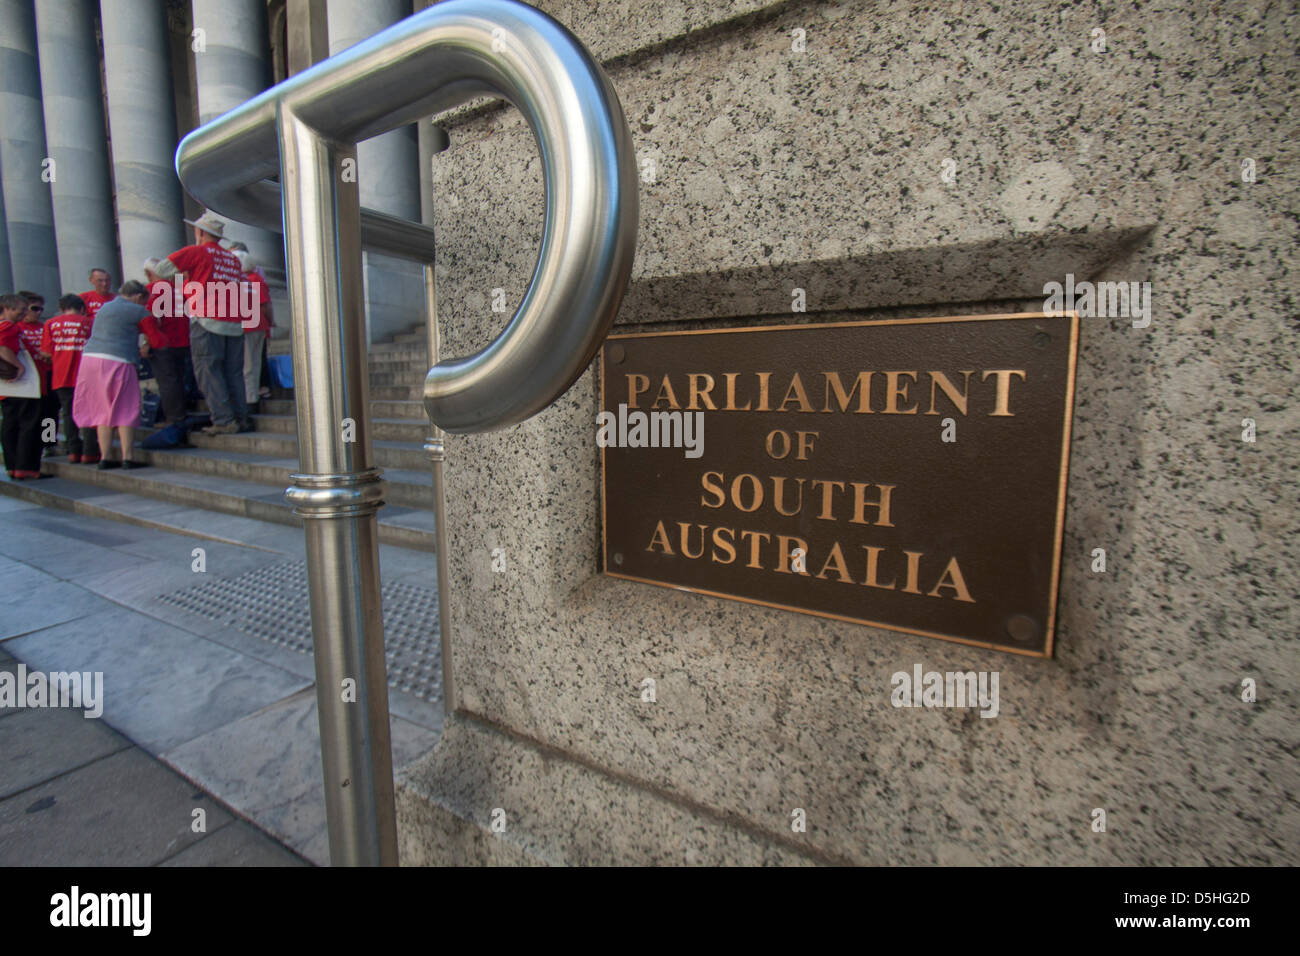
x,y
180,501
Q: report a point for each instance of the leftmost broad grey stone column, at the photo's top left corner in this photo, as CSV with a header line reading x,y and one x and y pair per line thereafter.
x,y
31,219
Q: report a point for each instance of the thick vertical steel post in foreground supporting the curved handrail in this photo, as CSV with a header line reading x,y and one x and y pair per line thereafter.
x,y
339,491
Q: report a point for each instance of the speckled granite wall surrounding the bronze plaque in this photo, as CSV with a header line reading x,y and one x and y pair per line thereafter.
x,y
824,170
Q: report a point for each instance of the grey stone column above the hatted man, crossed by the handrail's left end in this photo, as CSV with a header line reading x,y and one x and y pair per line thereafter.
x,y
231,67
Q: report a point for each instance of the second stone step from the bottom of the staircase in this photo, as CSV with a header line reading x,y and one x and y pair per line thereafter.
x,y
409,488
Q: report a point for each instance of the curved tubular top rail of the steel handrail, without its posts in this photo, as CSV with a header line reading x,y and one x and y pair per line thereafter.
x,y
432,62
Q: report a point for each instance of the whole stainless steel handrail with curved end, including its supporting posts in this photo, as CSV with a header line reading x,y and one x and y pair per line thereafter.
x,y
306,131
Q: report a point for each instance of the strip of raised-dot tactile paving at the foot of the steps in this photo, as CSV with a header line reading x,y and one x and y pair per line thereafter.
x,y
272,604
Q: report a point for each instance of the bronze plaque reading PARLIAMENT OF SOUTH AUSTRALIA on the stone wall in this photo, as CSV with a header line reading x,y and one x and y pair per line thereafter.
x,y
904,474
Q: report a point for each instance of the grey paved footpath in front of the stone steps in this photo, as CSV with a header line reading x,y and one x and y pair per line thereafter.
x,y
209,700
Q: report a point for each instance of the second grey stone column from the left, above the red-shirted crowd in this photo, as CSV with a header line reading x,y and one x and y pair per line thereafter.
x,y
77,142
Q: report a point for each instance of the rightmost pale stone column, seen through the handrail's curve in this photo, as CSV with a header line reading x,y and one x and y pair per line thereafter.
x,y
388,176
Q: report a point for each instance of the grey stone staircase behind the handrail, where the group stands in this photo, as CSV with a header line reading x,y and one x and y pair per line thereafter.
x,y
246,475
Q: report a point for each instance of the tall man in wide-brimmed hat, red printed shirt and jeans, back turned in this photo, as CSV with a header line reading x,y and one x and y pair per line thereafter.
x,y
213,293
